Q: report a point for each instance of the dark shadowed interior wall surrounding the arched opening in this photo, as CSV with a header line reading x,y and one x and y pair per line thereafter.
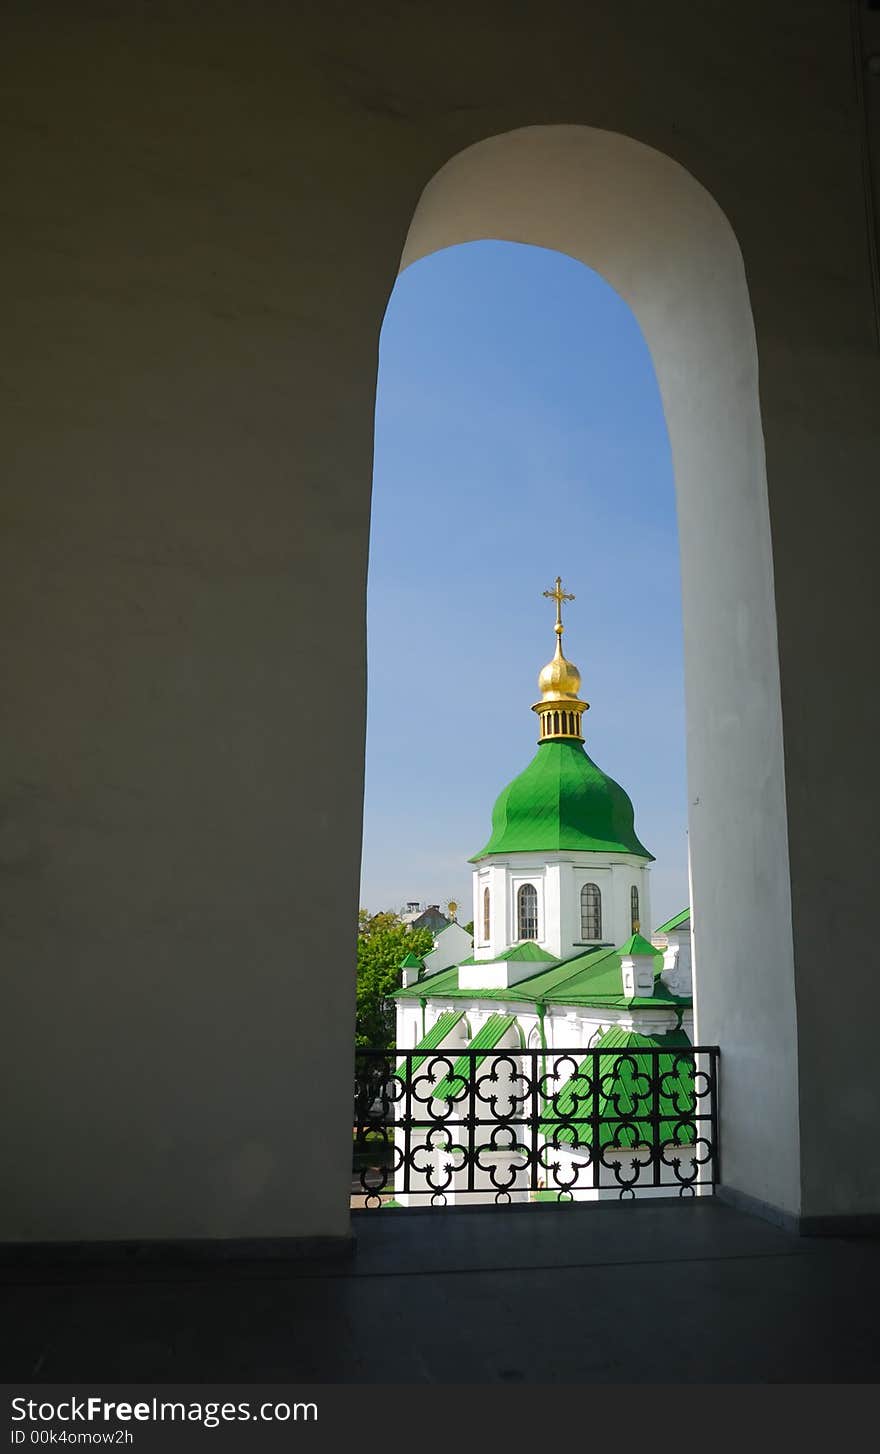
x,y
204,216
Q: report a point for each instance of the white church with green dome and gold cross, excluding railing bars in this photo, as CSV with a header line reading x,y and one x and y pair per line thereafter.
x,y
559,960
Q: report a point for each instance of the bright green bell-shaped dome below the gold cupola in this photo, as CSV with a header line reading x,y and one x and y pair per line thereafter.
x,y
564,802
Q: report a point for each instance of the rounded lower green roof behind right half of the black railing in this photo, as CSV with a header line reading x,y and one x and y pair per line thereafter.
x,y
625,1090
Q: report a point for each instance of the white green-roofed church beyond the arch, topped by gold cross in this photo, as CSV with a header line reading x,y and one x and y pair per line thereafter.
x,y
558,963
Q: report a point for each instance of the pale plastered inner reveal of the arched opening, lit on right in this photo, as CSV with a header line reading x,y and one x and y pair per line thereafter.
x,y
660,239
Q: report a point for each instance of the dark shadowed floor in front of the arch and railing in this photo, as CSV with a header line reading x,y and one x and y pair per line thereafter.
x,y
651,1292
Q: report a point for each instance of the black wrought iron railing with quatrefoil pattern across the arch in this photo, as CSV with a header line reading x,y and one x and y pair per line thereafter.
x,y
462,1126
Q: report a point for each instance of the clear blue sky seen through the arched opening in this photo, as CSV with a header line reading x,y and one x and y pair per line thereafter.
x,y
519,435
